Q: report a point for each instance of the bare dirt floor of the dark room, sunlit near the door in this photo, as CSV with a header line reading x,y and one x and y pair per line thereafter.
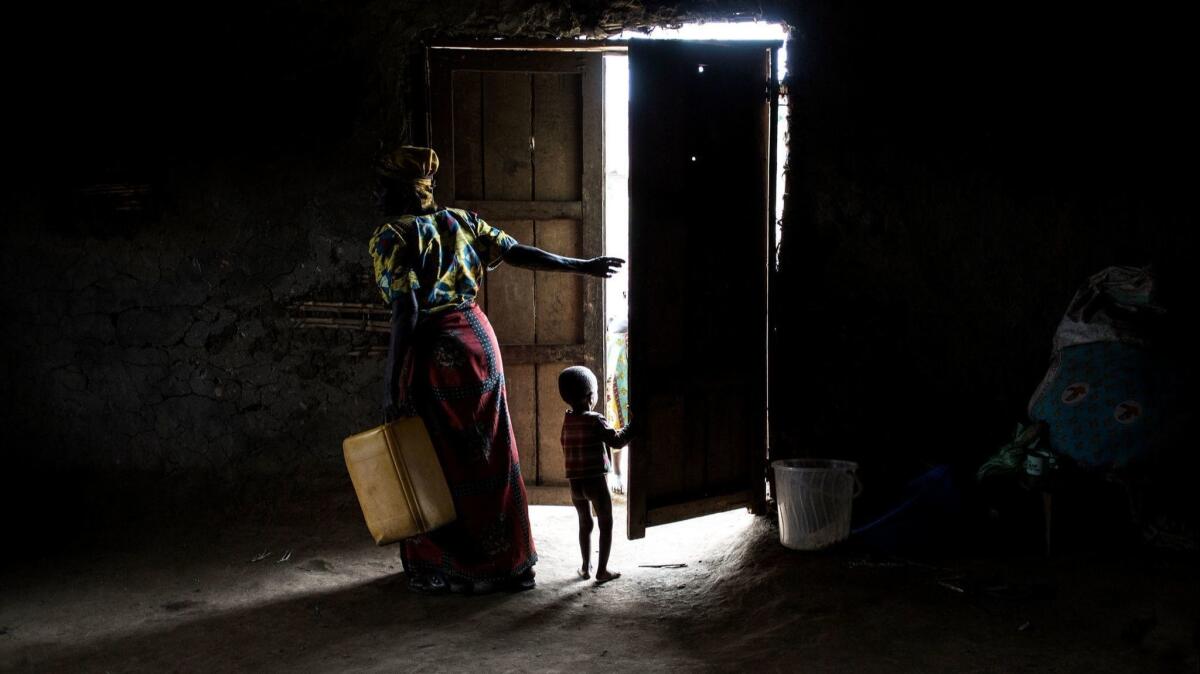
x,y
313,594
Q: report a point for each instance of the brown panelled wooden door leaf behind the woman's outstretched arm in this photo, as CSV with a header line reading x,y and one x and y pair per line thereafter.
x,y
521,141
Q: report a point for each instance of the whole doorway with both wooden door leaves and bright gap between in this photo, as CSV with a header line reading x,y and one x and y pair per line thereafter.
x,y
537,140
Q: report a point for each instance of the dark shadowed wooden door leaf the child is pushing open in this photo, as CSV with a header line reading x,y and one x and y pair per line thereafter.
x,y
700,216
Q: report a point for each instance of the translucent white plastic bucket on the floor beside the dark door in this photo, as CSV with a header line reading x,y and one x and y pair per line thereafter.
x,y
814,498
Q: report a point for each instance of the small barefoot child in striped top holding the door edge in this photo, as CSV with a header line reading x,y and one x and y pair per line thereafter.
x,y
586,442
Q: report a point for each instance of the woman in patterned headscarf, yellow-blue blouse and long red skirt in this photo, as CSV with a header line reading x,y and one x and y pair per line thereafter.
x,y
429,263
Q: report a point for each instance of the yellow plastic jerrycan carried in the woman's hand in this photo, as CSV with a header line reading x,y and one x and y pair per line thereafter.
x,y
399,480
